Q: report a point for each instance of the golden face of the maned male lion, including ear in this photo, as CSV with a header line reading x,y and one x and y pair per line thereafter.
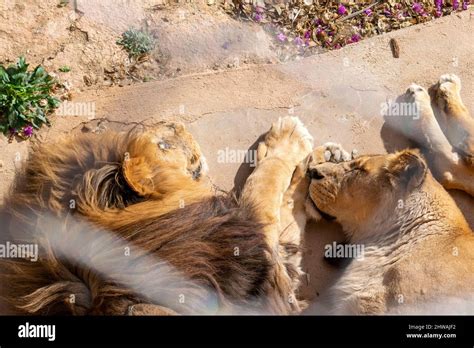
x,y
167,152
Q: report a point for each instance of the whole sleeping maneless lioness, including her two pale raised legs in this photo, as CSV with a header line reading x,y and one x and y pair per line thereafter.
x,y
418,248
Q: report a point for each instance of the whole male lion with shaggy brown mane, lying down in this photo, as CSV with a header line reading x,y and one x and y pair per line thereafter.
x,y
129,223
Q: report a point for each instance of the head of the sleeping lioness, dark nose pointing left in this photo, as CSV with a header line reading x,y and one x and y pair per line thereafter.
x,y
365,189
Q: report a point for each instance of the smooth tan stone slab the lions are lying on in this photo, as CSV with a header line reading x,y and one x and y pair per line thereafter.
x,y
338,95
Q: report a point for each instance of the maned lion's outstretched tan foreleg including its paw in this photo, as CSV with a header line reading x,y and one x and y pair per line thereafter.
x,y
267,190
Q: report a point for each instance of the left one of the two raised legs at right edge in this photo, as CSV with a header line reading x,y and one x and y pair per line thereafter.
x,y
444,162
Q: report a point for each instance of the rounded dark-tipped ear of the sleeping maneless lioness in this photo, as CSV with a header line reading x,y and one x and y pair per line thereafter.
x,y
408,167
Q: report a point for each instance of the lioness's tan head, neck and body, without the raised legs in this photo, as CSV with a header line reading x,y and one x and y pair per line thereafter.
x,y
414,236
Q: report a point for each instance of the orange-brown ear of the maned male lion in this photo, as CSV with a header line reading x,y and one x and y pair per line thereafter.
x,y
138,175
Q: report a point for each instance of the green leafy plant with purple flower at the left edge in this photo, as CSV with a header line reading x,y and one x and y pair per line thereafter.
x,y
25,98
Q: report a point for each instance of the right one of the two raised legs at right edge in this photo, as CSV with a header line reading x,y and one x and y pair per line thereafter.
x,y
455,118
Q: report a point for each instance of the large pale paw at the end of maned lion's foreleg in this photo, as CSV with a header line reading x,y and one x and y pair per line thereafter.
x,y
287,139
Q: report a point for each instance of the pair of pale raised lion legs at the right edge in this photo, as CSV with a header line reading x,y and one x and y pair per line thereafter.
x,y
449,153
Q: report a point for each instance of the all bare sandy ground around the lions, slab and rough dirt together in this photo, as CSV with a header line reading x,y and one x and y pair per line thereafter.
x,y
228,101
